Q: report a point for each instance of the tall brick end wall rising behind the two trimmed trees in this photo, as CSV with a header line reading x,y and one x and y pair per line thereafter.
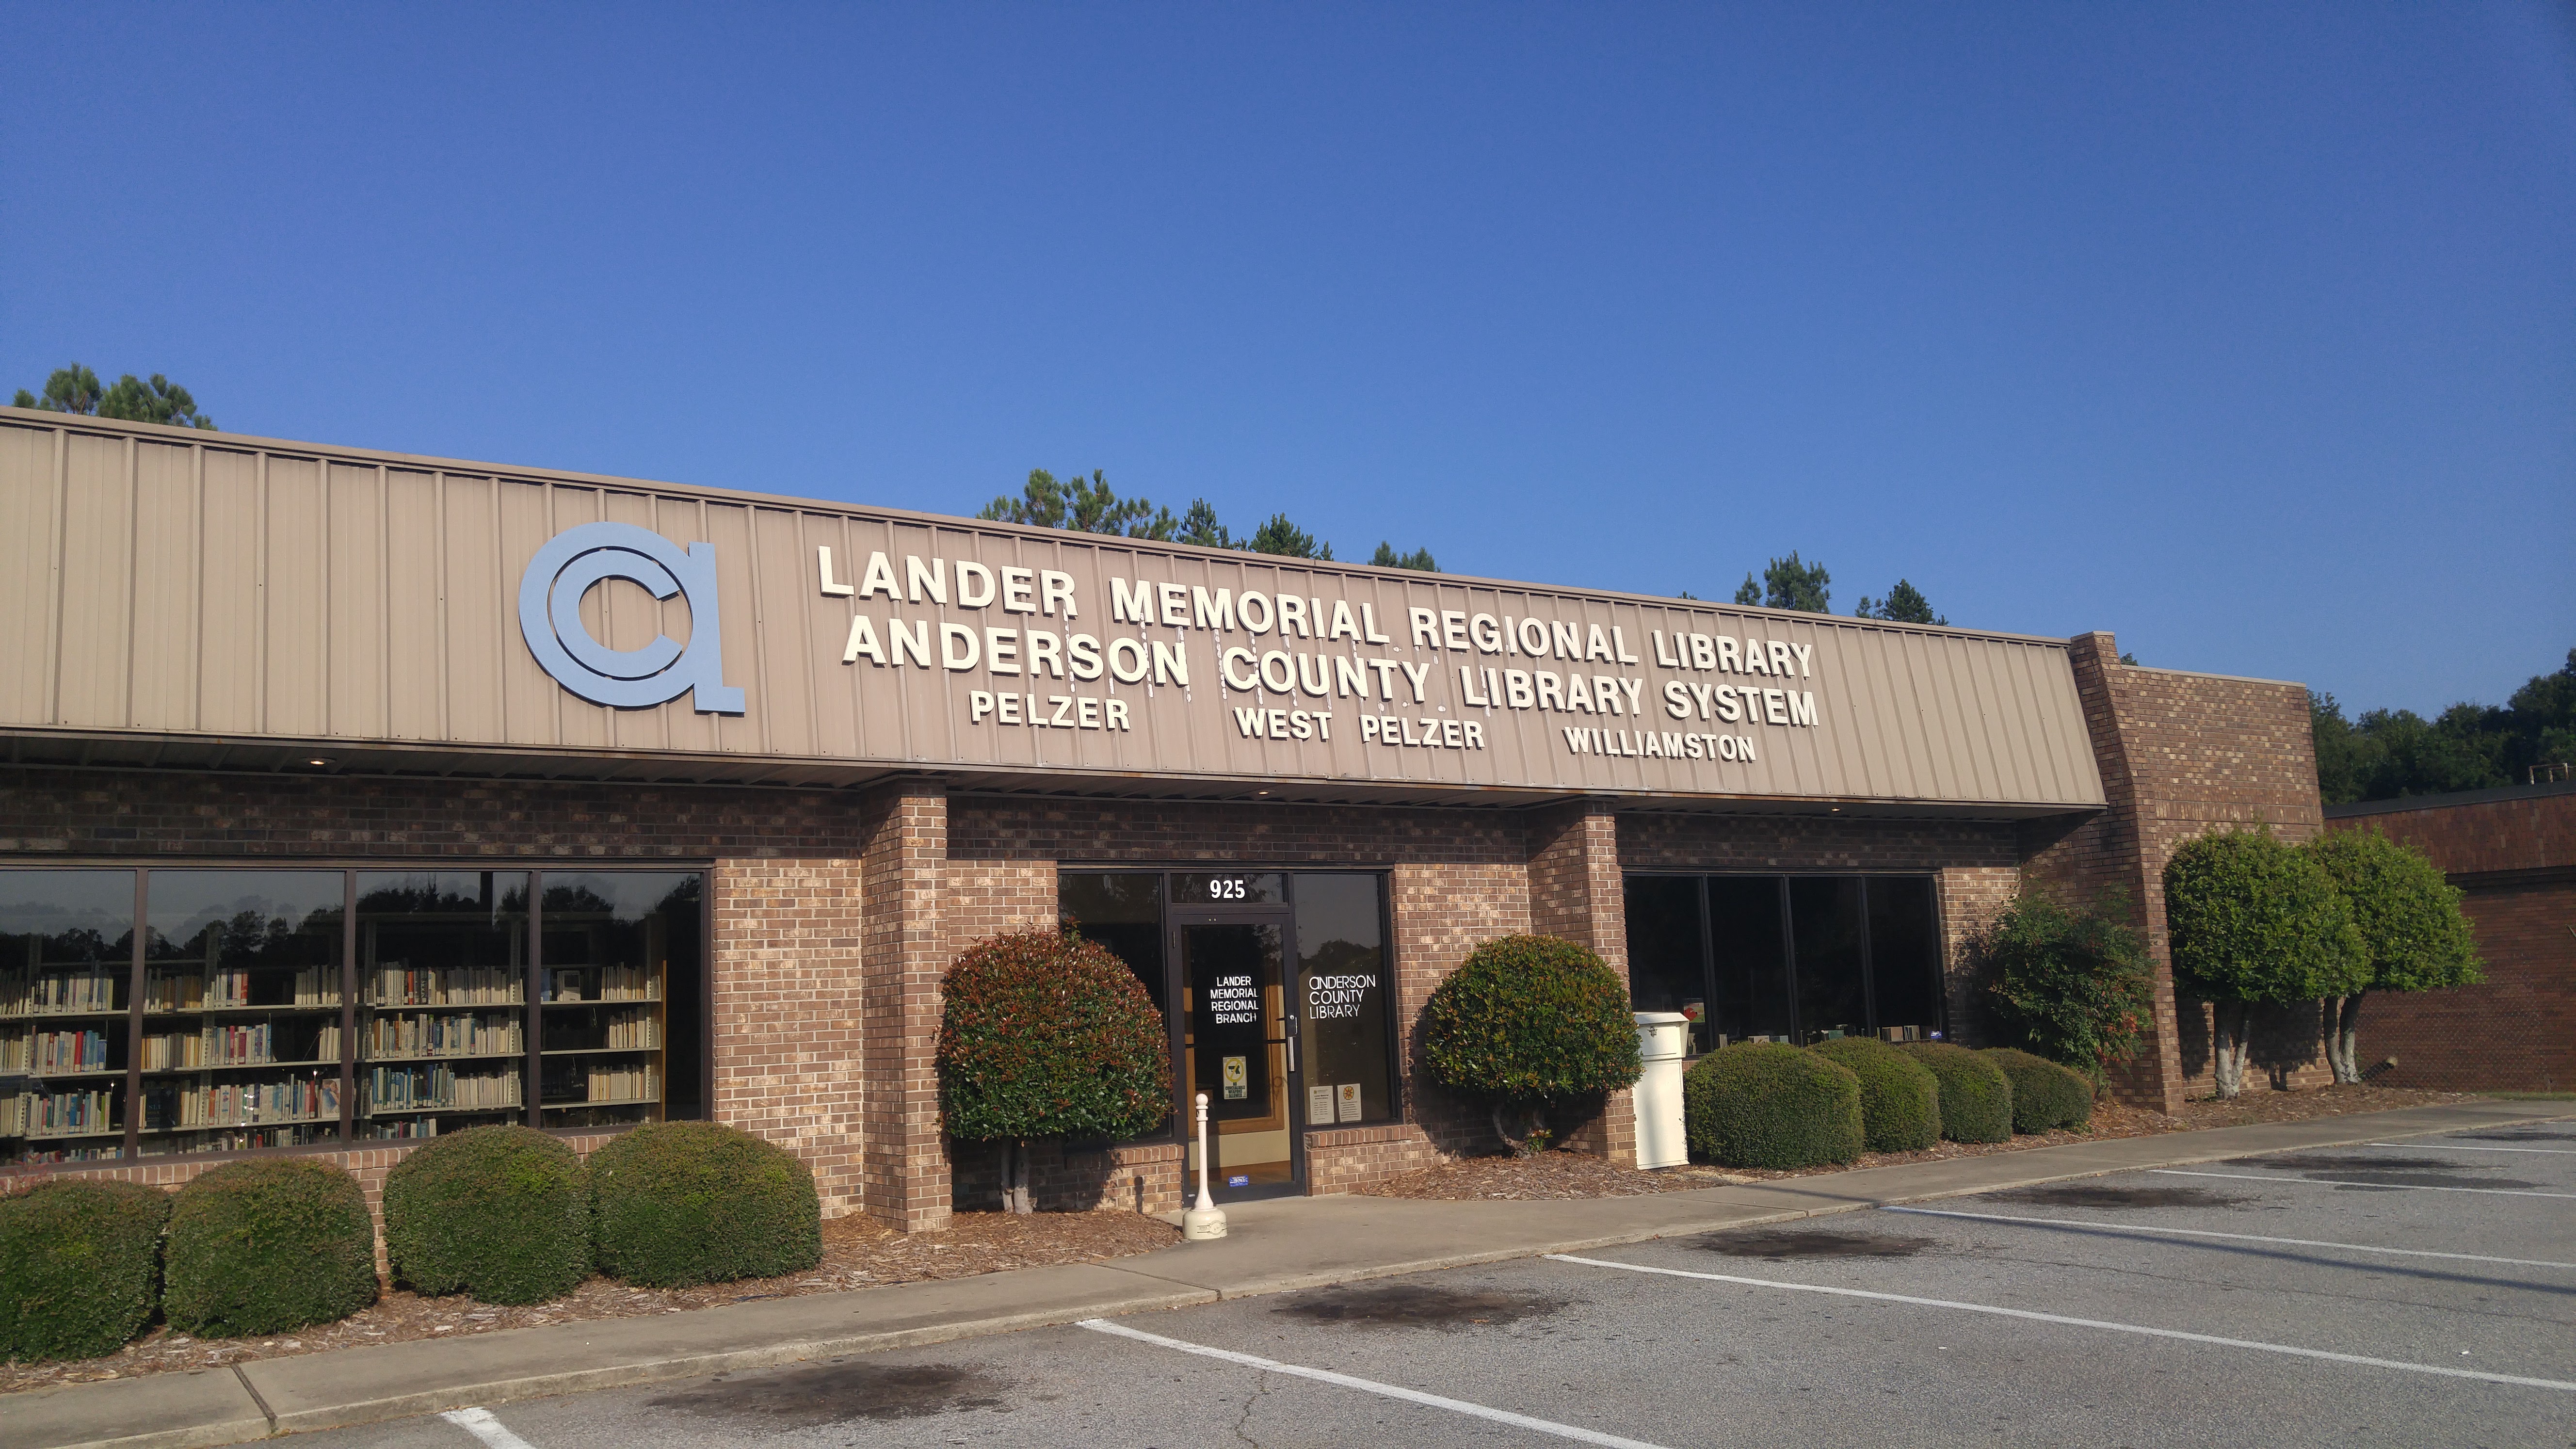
x,y
2183,754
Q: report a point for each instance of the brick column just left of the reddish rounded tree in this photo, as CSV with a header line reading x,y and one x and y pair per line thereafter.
x,y
905,1164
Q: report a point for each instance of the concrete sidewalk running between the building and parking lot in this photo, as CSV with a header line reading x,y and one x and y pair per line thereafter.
x,y
1276,1247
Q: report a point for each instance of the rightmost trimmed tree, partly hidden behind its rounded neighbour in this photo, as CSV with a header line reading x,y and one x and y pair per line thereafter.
x,y
2410,922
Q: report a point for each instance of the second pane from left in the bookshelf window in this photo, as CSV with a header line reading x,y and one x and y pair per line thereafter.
x,y
241,1012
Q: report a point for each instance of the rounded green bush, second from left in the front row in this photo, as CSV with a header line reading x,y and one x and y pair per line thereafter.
x,y
267,1247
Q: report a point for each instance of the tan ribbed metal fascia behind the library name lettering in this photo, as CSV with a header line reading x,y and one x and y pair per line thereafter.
x,y
218,587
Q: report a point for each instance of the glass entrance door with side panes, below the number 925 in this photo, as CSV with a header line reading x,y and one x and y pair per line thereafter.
x,y
1276,986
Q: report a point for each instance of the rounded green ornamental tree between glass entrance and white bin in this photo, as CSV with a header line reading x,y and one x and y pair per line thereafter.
x,y
1529,1025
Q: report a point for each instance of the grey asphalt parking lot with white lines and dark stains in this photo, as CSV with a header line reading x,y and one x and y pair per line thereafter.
x,y
2412,1293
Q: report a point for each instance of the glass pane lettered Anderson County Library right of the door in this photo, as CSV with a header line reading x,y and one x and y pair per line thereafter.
x,y
1341,940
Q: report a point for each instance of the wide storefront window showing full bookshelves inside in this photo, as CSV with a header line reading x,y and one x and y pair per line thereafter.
x,y
313,1007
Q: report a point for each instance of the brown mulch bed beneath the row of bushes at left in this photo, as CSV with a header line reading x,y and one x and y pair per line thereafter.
x,y
857,1254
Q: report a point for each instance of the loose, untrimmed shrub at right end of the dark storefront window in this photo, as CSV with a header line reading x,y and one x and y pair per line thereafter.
x,y
2072,986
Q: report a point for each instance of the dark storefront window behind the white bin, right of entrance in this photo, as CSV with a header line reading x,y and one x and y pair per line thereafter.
x,y
1786,958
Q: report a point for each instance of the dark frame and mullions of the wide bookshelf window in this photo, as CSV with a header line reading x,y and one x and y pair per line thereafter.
x,y
352,868
